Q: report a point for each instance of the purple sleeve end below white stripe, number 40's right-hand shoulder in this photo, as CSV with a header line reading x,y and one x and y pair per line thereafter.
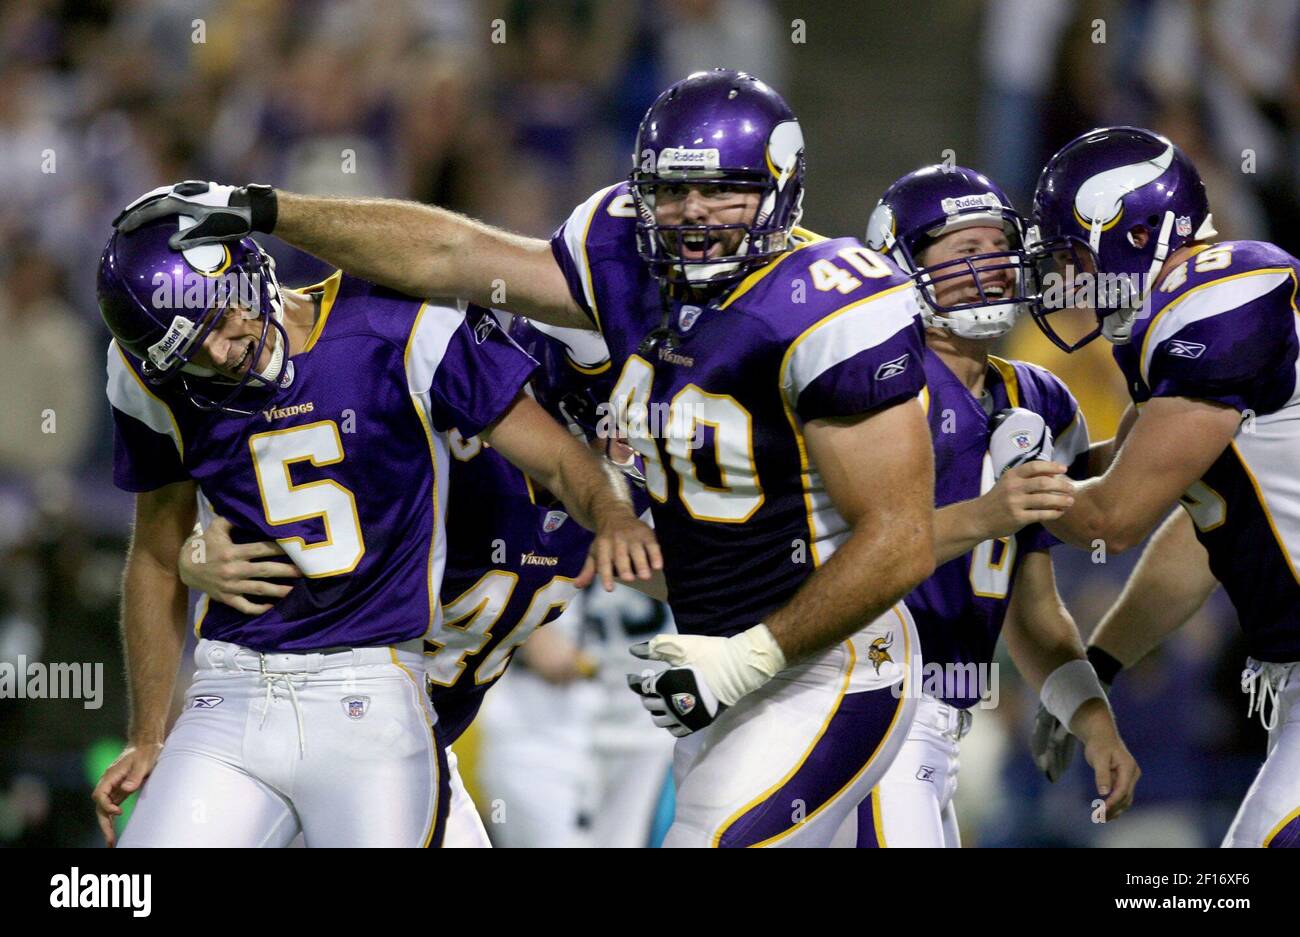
x,y
881,375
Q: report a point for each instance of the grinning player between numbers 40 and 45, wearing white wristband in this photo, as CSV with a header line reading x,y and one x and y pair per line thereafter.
x,y
960,237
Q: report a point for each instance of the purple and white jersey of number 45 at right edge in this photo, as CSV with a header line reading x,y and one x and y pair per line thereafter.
x,y
1224,327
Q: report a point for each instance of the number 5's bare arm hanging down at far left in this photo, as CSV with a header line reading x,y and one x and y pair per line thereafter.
x,y
154,611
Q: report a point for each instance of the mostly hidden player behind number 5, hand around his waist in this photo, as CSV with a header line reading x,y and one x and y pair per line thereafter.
x,y
514,554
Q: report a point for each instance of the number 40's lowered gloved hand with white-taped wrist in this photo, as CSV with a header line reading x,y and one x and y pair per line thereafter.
x,y
707,675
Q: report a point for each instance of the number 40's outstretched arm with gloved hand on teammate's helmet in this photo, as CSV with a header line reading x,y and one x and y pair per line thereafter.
x,y
406,246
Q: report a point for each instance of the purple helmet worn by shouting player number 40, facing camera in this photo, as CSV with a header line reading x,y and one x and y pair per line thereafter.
x,y
729,129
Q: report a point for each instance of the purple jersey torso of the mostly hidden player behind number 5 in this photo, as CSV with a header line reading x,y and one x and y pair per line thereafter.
x,y
513,556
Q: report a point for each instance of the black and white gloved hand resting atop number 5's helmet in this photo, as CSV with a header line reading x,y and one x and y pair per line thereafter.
x,y
219,212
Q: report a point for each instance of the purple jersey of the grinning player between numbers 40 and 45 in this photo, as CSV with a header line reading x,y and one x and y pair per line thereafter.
x,y
961,608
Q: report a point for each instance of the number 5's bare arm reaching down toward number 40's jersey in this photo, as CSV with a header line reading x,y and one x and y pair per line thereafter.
x,y
591,488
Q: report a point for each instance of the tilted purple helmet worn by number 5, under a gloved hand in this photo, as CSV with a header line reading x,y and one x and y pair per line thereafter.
x,y
162,305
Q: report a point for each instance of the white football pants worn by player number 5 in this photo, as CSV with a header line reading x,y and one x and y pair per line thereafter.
x,y
341,747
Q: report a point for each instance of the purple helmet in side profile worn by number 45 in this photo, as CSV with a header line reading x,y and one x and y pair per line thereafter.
x,y
1112,205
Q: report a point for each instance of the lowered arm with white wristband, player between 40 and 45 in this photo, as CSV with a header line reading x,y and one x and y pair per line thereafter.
x,y
1045,644
